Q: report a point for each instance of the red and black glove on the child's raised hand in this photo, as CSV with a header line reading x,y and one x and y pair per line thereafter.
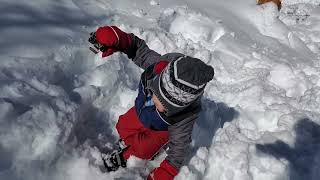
x,y
113,38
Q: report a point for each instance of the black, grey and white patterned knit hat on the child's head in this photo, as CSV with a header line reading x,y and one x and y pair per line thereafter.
x,y
181,83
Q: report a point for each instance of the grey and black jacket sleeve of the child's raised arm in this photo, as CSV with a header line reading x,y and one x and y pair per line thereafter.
x,y
140,53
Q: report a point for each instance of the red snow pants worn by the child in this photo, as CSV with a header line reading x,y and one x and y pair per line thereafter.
x,y
143,143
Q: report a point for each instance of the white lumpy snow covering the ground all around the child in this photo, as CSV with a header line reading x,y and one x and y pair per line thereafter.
x,y
59,103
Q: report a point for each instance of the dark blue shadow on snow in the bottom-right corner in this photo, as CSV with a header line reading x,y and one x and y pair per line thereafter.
x,y
304,156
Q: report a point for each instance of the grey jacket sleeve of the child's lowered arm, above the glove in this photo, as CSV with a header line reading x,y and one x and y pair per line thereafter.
x,y
179,141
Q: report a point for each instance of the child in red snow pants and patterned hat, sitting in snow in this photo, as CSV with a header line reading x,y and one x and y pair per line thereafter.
x,y
166,107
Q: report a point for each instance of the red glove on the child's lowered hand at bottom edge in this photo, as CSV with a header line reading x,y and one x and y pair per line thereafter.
x,y
165,172
